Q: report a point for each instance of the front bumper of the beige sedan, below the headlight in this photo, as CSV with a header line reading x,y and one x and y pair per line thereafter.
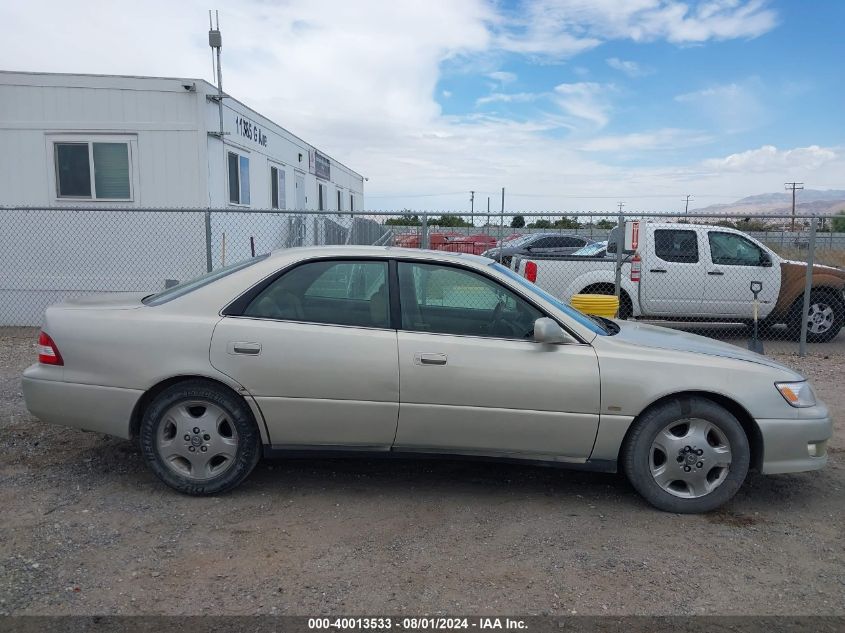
x,y
792,446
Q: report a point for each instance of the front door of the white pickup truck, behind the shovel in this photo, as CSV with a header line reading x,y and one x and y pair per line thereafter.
x,y
733,262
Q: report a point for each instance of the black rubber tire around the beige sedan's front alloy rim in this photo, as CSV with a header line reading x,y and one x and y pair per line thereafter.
x,y
637,456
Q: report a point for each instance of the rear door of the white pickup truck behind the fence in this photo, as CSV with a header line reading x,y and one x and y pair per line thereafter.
x,y
673,273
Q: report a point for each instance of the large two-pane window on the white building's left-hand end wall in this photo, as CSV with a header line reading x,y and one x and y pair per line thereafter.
x,y
93,170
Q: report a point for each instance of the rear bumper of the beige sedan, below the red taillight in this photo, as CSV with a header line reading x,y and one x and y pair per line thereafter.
x,y
88,407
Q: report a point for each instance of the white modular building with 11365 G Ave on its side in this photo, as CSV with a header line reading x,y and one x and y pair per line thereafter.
x,y
110,145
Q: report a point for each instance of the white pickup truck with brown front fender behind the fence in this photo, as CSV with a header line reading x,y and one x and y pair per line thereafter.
x,y
685,271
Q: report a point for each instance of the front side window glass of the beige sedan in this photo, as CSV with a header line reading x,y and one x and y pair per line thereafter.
x,y
448,300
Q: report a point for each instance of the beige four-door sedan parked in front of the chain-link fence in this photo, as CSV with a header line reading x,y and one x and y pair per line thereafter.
x,y
392,352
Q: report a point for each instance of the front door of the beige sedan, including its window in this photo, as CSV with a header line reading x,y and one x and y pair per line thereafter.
x,y
472,381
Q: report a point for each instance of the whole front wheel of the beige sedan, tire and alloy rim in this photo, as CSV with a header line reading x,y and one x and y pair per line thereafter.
x,y
686,455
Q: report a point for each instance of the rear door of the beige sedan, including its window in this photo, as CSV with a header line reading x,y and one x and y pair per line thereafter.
x,y
316,351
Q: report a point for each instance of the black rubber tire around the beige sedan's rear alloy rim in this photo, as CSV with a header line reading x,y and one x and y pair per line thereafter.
x,y
238,422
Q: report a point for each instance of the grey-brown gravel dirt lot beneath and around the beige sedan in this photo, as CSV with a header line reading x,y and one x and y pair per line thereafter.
x,y
86,529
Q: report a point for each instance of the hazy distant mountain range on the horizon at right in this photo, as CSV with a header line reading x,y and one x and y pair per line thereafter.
x,y
808,201
